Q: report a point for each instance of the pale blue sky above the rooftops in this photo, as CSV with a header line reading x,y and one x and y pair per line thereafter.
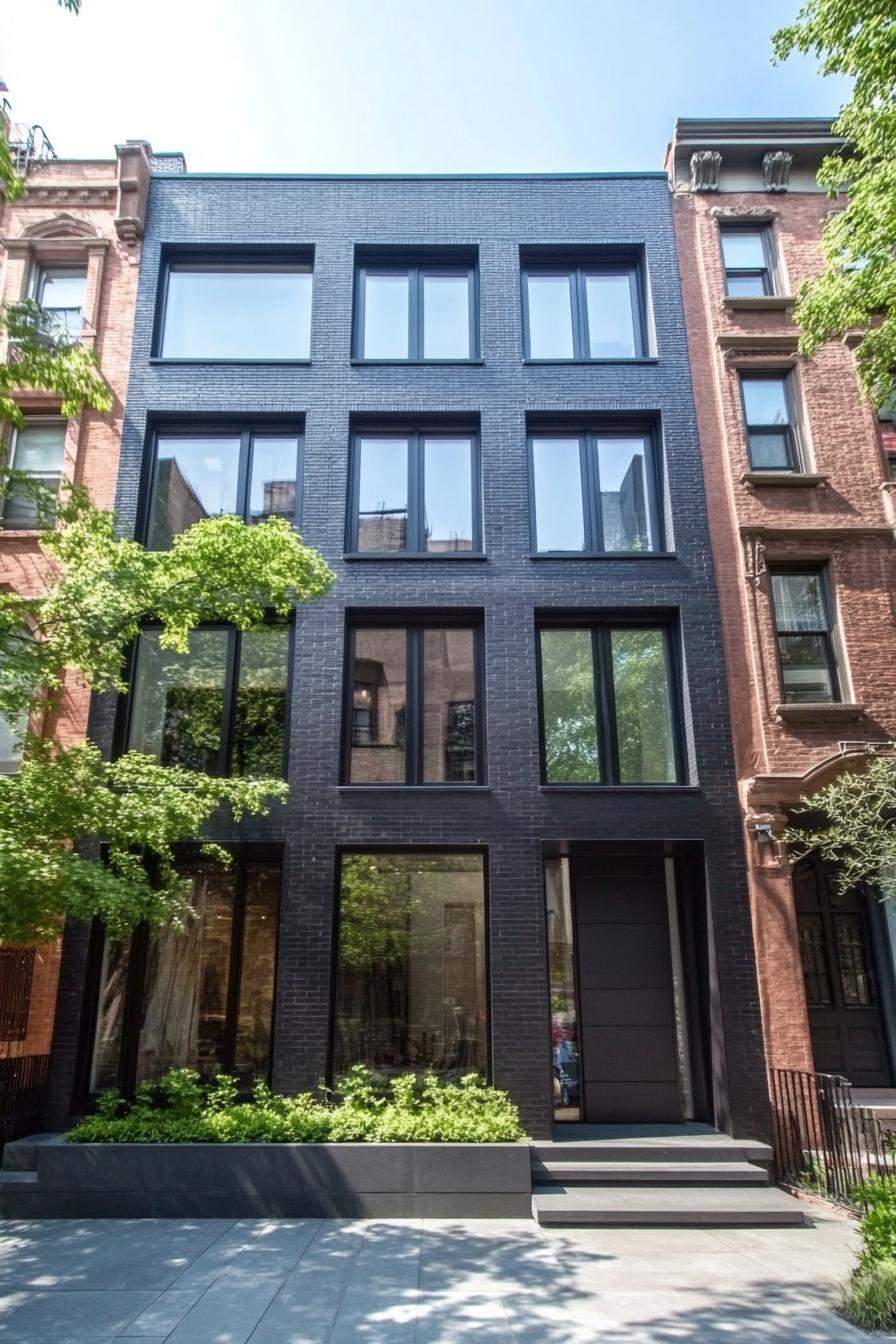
x,y
400,85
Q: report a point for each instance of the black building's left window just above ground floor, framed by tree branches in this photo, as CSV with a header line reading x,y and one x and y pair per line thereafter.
x,y
220,709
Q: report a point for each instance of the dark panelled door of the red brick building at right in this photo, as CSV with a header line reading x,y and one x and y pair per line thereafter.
x,y
842,978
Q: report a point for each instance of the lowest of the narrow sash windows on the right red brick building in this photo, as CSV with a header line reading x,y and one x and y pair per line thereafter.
x,y
805,636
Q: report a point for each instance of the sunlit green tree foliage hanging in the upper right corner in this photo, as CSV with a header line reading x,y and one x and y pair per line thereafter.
x,y
858,290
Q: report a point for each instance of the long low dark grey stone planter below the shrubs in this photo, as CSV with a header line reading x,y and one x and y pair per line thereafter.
x,y
48,1178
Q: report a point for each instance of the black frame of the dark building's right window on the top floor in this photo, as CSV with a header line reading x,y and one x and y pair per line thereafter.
x,y
577,267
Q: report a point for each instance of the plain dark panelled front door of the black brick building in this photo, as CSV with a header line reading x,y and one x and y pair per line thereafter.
x,y
627,1007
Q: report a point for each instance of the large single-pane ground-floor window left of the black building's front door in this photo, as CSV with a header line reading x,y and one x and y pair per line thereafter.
x,y
410,986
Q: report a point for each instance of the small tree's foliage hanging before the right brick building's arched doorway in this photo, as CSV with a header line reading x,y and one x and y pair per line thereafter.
x,y
859,835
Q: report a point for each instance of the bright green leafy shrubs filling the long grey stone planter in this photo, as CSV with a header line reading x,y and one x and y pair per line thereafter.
x,y
179,1109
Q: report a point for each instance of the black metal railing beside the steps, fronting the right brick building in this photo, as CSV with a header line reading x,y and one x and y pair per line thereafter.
x,y
825,1143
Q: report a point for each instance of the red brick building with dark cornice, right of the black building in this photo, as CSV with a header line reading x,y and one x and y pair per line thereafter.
x,y
800,483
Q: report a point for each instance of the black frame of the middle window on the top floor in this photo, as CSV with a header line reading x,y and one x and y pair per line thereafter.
x,y
416,264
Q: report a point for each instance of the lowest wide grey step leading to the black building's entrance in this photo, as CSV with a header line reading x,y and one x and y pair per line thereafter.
x,y
664,1206
